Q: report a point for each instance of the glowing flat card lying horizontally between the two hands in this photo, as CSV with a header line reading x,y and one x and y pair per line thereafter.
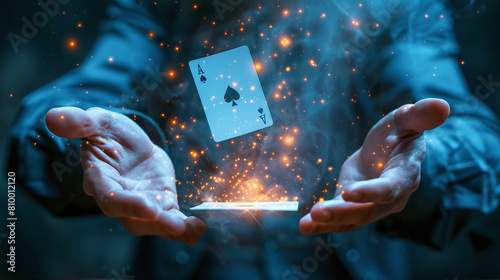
x,y
264,206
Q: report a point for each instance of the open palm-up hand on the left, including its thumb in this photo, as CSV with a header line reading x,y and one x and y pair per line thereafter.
x,y
129,177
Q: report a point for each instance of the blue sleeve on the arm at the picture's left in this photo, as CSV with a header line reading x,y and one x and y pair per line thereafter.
x,y
120,69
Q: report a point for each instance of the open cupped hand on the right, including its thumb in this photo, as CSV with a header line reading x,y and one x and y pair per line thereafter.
x,y
378,179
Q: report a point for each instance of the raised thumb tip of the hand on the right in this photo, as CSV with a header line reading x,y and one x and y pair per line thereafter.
x,y
424,115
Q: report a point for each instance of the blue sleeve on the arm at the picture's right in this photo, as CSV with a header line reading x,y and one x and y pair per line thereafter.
x,y
460,191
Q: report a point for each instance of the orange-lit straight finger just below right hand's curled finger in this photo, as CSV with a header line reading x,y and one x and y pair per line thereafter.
x,y
340,212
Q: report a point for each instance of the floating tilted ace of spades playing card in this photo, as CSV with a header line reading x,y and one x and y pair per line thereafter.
x,y
231,93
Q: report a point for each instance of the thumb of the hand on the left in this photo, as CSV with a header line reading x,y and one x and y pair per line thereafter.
x,y
73,122
